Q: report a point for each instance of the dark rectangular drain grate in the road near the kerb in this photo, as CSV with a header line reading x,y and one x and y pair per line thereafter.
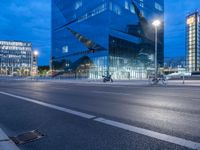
x,y
27,137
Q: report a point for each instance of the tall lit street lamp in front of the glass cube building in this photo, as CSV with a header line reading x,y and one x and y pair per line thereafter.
x,y
156,24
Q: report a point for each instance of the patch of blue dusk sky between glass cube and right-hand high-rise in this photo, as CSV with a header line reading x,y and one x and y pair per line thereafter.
x,y
175,20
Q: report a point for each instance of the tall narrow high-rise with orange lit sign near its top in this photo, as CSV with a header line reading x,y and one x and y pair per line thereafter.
x,y
193,41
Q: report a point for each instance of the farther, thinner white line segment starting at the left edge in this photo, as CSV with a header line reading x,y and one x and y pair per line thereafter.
x,y
77,113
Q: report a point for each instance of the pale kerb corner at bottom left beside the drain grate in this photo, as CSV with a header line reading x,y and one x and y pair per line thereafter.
x,y
6,143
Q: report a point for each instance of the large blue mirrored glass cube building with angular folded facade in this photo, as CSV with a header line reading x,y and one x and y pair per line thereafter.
x,y
101,37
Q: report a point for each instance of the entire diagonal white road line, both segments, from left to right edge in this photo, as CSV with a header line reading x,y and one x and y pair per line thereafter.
x,y
149,133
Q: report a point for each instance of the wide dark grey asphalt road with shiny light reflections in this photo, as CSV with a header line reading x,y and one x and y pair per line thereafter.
x,y
173,111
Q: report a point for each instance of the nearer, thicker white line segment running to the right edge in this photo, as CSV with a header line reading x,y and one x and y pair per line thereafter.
x,y
153,134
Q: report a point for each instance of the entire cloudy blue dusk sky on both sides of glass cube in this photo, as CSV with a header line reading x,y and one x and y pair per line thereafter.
x,y
29,20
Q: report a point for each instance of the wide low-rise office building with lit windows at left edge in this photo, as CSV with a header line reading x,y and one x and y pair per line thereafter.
x,y
15,58
